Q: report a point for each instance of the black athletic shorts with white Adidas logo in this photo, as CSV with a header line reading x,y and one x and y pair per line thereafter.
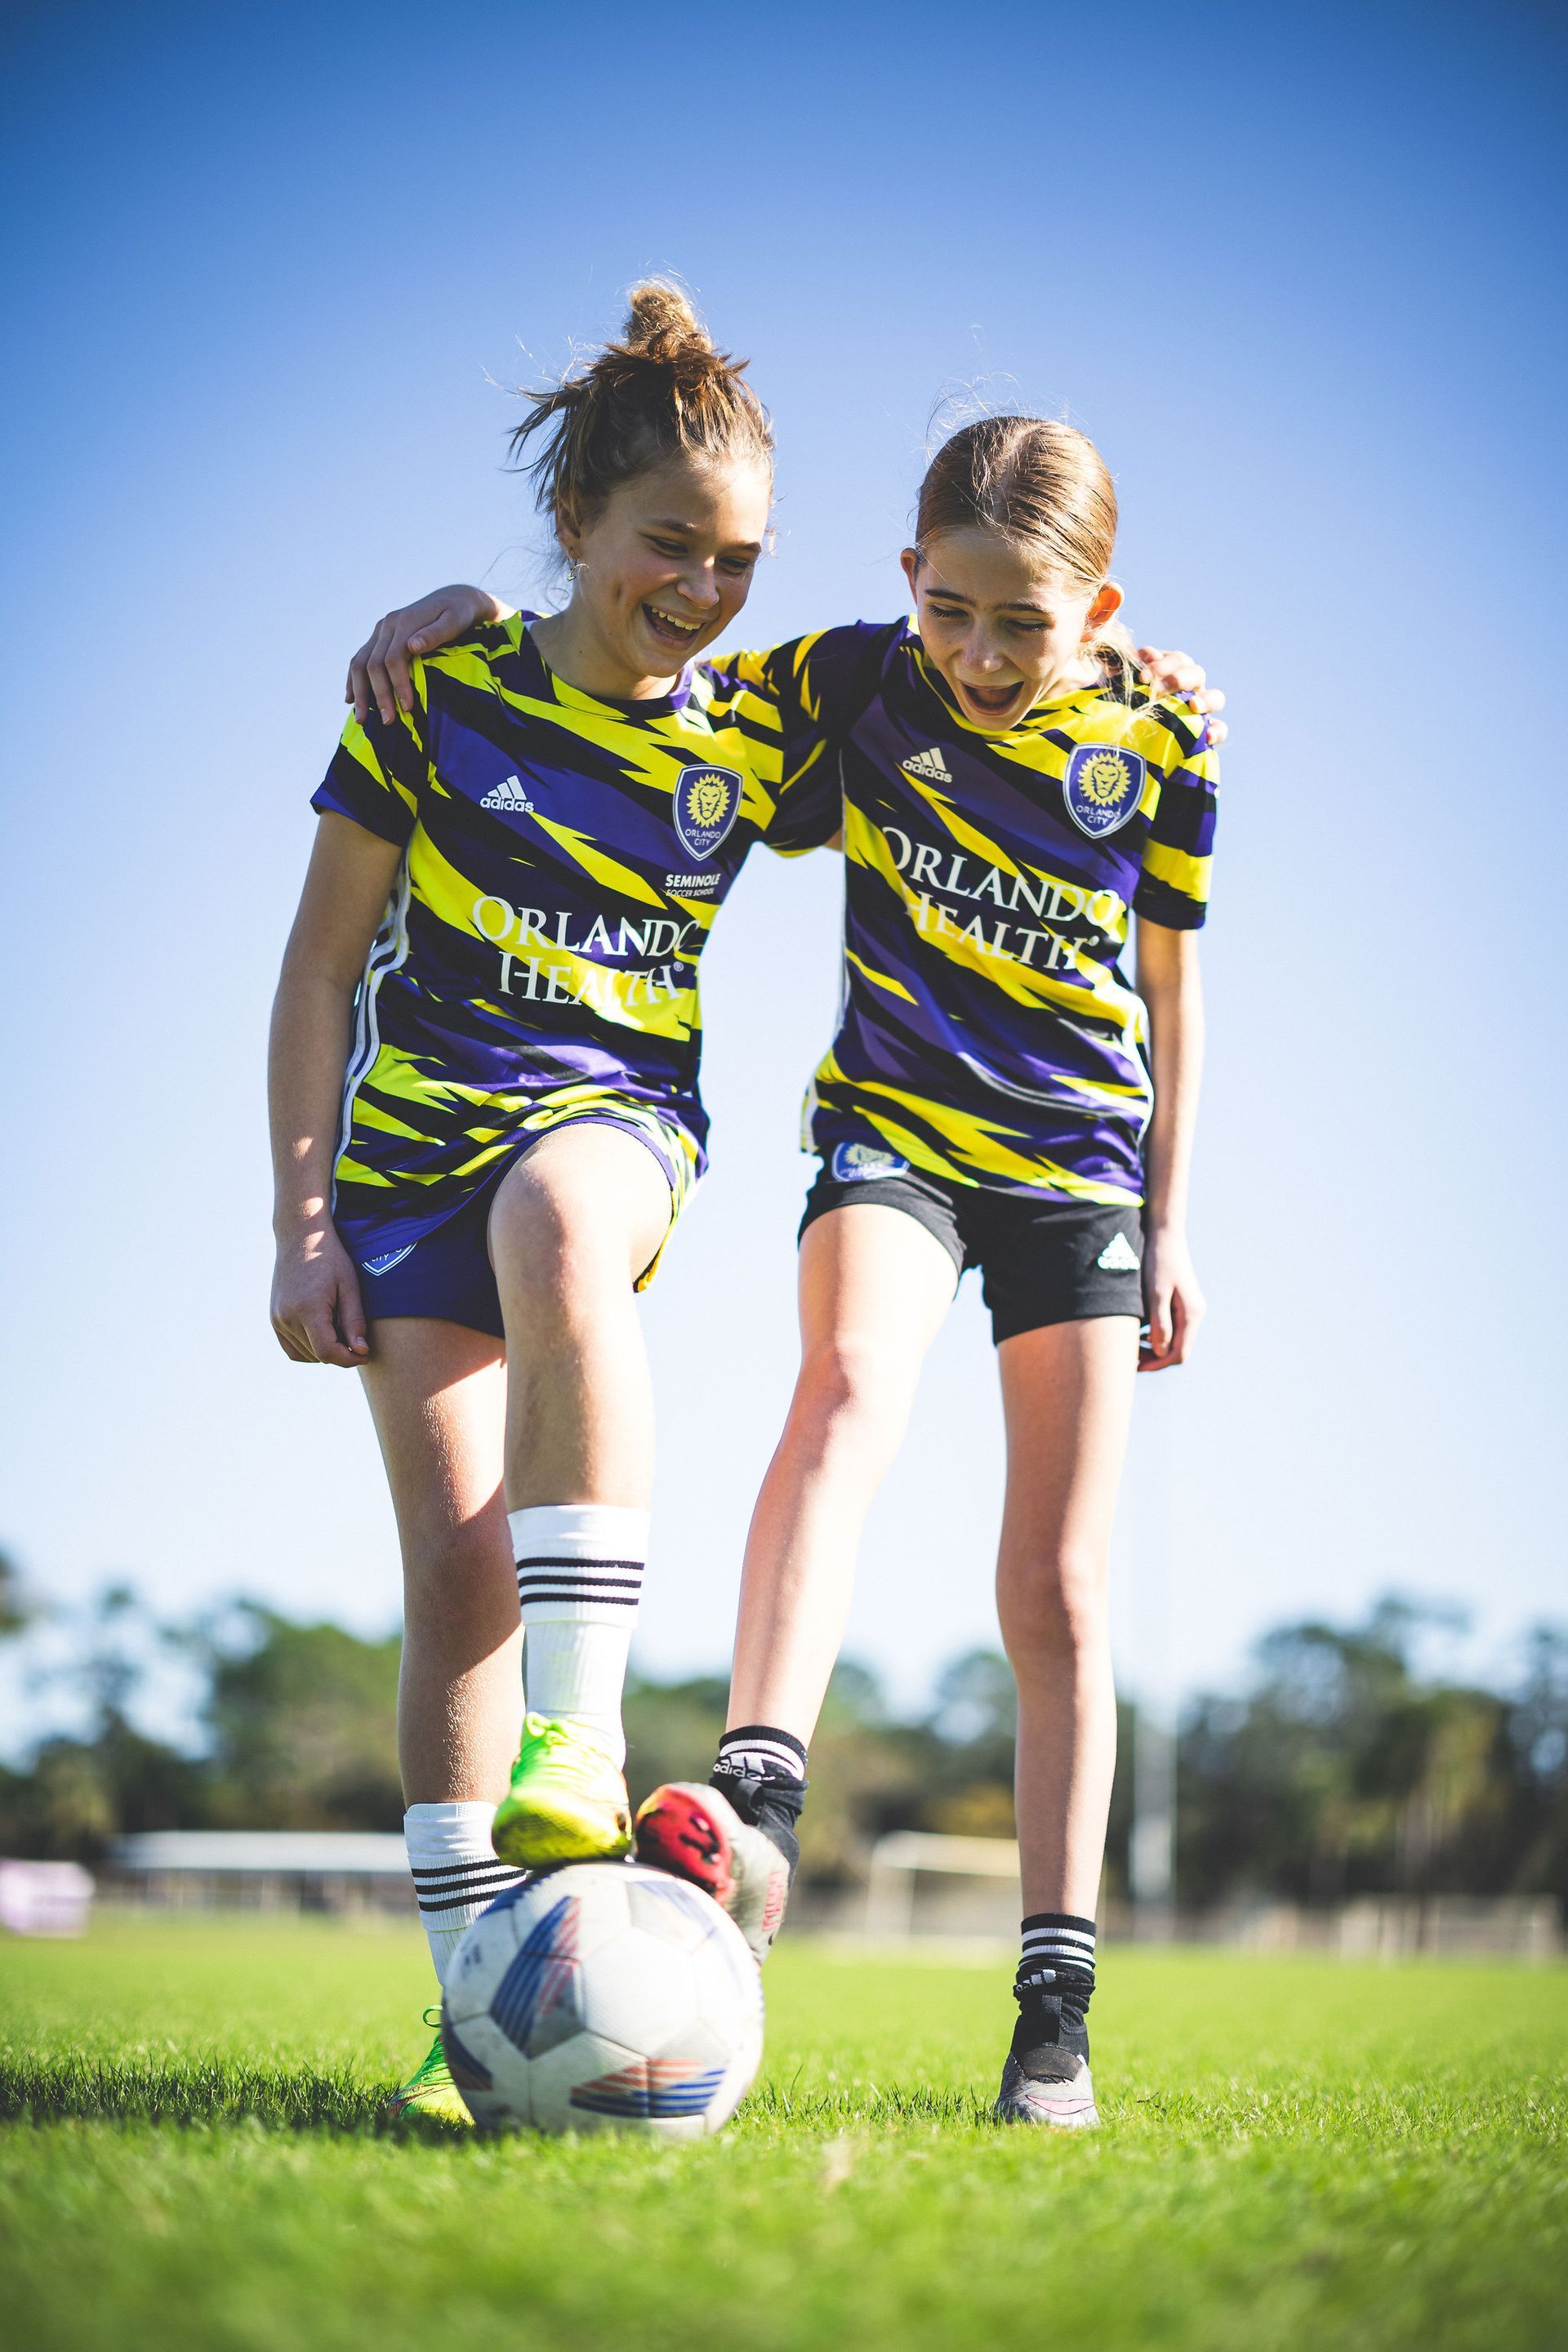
x,y
1043,1262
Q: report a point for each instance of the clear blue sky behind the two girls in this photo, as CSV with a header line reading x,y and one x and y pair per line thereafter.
x,y
269,274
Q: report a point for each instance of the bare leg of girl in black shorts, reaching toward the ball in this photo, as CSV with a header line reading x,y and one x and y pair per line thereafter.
x,y
873,1292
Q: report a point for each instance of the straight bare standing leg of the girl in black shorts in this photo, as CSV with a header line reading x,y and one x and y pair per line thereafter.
x,y
1068,1398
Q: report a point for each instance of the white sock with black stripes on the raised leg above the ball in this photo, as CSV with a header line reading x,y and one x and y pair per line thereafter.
x,y
579,1575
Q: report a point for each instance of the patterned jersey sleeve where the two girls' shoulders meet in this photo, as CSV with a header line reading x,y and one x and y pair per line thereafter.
x,y
798,704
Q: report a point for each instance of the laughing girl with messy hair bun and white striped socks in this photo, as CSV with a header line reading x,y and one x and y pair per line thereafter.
x,y
485,1090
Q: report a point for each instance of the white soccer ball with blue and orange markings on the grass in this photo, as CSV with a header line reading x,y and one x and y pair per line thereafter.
x,y
603,1998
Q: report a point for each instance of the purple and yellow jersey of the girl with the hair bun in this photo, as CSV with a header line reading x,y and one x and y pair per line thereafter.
x,y
563,864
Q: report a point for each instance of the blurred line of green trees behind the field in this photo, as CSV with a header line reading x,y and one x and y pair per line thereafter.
x,y
1341,1765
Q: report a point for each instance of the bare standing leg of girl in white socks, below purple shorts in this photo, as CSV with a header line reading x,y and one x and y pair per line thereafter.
x,y
438,1401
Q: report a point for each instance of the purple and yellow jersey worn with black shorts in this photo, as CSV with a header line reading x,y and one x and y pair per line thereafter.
x,y
989,1031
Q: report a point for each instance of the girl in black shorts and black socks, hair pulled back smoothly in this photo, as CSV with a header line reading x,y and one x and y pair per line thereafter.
x,y
1010,794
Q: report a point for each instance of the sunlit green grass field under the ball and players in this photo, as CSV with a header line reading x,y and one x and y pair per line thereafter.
x,y
1294,2153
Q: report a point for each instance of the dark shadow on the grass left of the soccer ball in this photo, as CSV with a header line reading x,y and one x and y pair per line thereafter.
x,y
203,2092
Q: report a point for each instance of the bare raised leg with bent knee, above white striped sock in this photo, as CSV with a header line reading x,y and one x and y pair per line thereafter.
x,y
572,1229
